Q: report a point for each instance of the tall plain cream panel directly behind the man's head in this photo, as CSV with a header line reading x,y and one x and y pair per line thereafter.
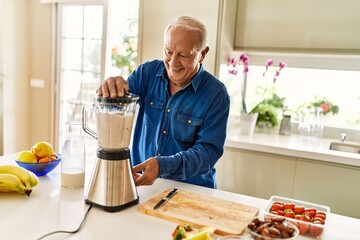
x,y
155,16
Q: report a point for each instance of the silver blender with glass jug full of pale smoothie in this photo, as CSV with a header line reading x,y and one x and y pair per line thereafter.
x,y
111,185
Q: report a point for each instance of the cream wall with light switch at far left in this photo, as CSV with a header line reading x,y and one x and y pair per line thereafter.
x,y
25,43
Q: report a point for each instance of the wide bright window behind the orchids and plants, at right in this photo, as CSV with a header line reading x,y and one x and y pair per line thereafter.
x,y
299,84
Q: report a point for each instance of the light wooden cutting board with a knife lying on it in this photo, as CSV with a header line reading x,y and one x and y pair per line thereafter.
x,y
201,211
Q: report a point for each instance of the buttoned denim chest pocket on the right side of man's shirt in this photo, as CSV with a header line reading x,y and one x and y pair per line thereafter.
x,y
187,127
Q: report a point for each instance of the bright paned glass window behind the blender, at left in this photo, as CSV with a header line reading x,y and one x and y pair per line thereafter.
x,y
88,33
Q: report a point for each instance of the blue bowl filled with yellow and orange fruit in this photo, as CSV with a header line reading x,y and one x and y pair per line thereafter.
x,y
41,159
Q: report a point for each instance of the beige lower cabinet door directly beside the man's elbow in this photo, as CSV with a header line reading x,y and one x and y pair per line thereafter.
x,y
256,174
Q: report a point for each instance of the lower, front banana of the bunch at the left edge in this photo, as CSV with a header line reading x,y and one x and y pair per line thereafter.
x,y
11,183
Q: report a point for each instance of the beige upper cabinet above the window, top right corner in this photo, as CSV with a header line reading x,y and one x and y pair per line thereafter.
x,y
322,26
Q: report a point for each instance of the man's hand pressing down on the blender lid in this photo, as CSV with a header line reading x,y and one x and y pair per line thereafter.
x,y
113,87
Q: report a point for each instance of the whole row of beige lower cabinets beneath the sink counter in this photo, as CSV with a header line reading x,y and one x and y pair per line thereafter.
x,y
262,175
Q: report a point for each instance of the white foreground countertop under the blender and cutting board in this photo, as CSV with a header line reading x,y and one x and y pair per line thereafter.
x,y
51,207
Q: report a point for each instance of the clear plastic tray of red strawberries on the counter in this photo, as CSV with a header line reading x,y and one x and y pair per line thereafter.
x,y
309,218
